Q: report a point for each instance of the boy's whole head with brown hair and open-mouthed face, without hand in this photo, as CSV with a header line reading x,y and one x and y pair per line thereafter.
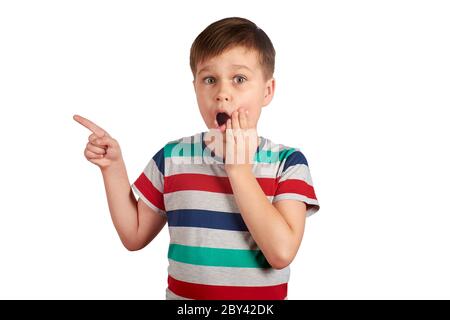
x,y
232,61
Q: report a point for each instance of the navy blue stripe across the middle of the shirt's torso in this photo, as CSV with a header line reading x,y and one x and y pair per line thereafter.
x,y
206,219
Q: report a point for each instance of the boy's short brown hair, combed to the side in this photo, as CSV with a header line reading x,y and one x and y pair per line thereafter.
x,y
229,33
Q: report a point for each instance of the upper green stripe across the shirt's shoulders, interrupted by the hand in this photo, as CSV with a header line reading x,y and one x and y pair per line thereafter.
x,y
190,150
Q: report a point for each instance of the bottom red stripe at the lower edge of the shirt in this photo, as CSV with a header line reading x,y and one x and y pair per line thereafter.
x,y
208,292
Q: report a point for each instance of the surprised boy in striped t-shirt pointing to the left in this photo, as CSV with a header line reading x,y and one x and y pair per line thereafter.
x,y
235,202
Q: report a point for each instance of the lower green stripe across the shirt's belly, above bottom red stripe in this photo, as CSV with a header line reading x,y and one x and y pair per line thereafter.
x,y
218,257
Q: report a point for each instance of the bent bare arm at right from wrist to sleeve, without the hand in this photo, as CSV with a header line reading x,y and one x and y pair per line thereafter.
x,y
276,228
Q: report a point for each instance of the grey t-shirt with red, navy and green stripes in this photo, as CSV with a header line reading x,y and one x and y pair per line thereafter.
x,y
211,254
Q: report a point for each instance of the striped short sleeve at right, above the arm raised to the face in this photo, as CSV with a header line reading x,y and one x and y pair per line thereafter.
x,y
295,182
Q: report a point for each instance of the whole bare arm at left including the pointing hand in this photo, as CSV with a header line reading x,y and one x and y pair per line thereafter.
x,y
135,222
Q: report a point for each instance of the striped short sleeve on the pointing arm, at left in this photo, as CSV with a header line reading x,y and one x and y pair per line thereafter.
x,y
149,186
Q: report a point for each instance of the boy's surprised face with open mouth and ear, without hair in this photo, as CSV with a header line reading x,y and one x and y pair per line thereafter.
x,y
231,81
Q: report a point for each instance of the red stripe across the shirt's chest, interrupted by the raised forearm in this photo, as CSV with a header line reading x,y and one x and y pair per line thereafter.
x,y
203,182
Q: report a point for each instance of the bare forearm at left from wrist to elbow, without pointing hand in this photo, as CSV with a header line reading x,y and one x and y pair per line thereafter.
x,y
135,222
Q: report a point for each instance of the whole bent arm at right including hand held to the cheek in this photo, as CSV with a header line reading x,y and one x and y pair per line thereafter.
x,y
276,228
